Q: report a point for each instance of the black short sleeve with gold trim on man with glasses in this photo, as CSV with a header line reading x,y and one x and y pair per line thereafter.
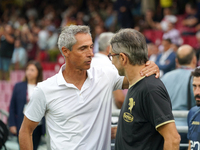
x,y
157,108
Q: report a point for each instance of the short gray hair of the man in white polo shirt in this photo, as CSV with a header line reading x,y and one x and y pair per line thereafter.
x,y
67,36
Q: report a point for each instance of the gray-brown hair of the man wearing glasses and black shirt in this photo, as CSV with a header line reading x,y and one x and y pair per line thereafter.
x,y
132,43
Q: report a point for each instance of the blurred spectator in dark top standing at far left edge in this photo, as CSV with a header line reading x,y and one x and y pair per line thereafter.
x,y
6,50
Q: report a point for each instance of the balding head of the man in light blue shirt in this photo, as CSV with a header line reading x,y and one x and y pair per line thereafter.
x,y
185,55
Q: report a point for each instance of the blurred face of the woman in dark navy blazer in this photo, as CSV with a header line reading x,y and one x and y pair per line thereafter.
x,y
31,72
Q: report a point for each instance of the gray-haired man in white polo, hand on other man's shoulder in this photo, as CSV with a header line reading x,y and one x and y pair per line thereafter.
x,y
76,102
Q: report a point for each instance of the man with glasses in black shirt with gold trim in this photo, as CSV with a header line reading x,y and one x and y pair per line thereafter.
x,y
146,121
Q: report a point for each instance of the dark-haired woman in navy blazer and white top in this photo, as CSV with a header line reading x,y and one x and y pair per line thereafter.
x,y
20,98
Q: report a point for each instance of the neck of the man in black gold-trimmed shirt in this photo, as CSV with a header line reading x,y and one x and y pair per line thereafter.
x,y
133,73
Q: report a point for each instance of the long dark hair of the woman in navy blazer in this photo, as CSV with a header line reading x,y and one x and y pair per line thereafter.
x,y
39,68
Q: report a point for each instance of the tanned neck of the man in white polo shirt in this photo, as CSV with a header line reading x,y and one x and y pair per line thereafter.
x,y
75,76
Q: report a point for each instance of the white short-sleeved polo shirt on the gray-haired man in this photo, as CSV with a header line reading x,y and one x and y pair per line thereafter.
x,y
76,119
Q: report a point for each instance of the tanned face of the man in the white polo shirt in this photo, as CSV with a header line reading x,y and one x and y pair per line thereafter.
x,y
80,56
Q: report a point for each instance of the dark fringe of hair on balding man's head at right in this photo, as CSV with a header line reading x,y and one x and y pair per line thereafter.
x,y
186,59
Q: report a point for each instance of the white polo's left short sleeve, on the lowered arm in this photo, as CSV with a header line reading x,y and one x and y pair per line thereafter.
x,y
37,106
